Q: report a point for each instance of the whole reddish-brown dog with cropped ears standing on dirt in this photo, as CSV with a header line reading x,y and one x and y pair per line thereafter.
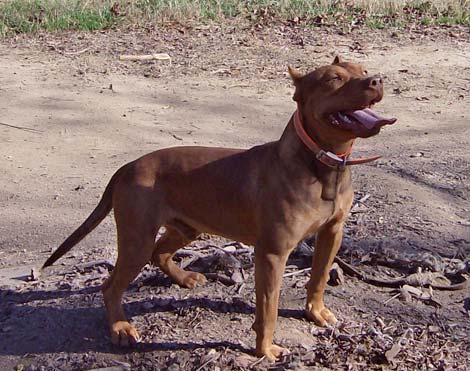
x,y
271,196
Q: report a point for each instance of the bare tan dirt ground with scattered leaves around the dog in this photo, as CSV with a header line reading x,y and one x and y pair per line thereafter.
x,y
71,114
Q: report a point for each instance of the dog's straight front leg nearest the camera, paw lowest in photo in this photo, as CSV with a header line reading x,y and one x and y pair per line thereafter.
x,y
270,262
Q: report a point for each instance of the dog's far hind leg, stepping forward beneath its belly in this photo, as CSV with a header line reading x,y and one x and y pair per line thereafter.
x,y
166,246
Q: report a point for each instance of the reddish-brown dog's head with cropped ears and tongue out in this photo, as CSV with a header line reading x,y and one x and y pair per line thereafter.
x,y
336,100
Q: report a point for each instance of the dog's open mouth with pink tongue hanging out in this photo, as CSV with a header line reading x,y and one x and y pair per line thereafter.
x,y
360,121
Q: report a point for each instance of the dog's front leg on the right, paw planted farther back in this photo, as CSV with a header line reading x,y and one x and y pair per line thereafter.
x,y
328,242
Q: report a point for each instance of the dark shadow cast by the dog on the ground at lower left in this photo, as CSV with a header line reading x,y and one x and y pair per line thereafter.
x,y
35,322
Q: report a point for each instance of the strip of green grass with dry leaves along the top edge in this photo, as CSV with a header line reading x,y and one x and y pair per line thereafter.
x,y
26,16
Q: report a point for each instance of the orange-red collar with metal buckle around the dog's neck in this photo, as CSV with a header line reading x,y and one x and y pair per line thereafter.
x,y
326,157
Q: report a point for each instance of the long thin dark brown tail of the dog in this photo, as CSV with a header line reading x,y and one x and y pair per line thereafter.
x,y
103,208
